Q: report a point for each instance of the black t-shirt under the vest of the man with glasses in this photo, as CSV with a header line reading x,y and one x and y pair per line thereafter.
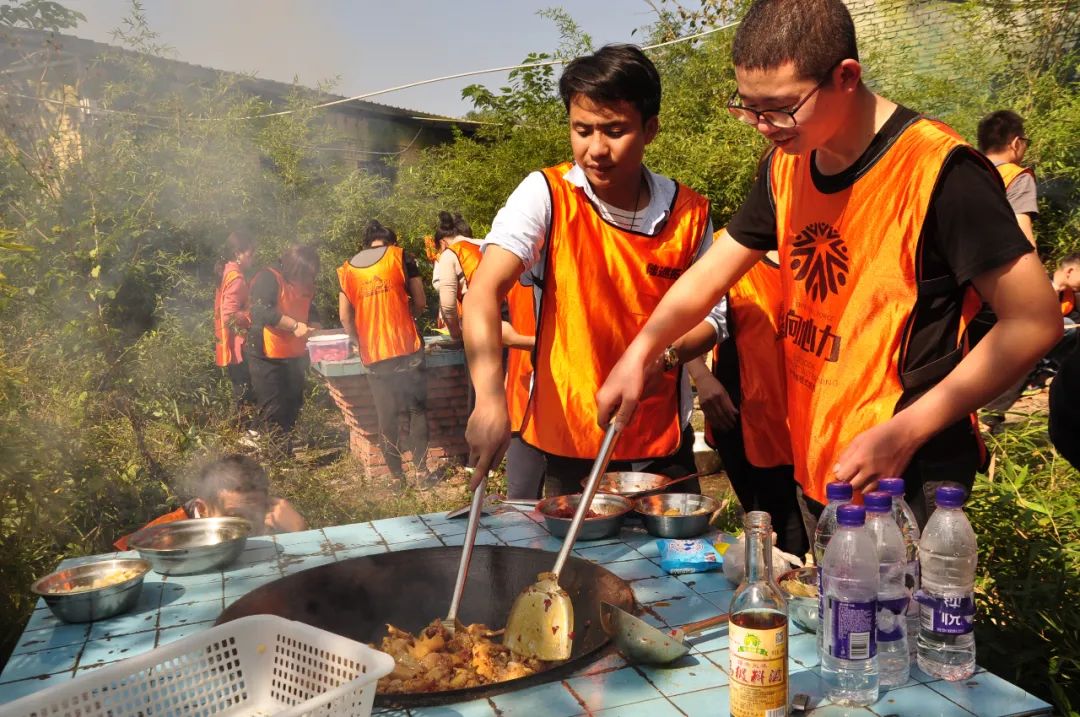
x,y
969,229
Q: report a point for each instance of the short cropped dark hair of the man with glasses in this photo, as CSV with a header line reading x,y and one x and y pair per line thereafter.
x,y
814,35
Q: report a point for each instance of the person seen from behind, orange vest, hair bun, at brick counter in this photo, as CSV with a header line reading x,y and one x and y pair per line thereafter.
x,y
382,292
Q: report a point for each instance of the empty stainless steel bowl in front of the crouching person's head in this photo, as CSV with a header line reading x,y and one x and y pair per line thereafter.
x,y
196,546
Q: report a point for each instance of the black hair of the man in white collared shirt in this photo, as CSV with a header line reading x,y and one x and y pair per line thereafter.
x,y
615,73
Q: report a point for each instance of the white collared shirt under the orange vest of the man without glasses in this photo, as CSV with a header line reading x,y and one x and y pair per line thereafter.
x,y
521,227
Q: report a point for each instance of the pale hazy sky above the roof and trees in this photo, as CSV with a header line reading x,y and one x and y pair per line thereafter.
x,y
364,46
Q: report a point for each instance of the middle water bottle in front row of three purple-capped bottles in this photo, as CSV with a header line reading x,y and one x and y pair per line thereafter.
x,y
895,662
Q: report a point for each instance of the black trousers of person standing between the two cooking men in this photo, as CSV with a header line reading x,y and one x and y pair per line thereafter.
x,y
769,490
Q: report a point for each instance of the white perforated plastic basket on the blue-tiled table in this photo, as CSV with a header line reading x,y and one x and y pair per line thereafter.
x,y
259,666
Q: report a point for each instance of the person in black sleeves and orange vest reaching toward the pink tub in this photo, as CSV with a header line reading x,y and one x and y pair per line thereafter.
x,y
277,348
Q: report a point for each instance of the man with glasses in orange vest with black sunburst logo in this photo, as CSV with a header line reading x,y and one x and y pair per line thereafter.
x,y
892,232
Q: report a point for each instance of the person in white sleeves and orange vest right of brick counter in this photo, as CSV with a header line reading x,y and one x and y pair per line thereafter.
x,y
456,264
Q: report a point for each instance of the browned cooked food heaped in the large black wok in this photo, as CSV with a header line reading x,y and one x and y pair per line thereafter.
x,y
434,661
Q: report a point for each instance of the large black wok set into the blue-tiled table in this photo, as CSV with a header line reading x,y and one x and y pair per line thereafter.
x,y
410,589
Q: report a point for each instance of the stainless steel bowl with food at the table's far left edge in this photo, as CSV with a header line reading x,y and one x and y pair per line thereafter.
x,y
72,597
